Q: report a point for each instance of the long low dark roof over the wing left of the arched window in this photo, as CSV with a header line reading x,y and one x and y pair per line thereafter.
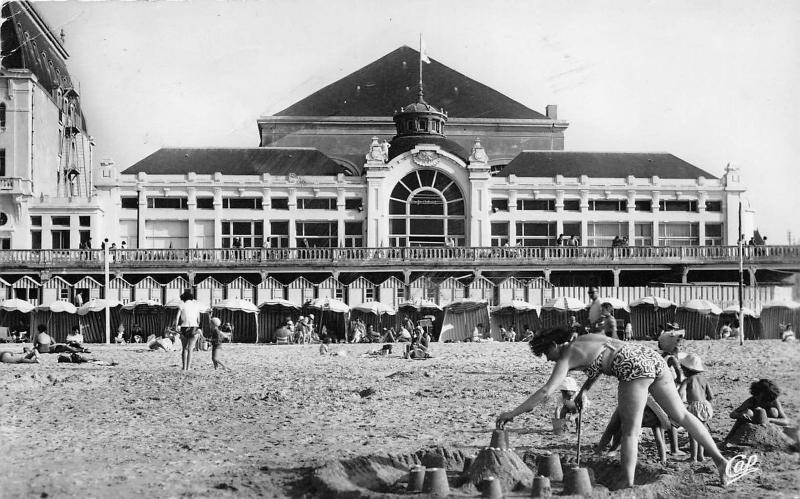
x,y
252,161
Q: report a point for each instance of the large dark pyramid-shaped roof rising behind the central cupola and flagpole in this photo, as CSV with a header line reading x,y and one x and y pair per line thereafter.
x,y
391,82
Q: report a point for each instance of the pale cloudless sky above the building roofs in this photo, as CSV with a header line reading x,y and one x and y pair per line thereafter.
x,y
712,82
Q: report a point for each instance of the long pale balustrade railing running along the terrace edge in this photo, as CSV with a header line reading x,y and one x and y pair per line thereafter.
x,y
489,256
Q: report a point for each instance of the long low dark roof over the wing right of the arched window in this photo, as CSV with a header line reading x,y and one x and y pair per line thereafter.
x,y
600,164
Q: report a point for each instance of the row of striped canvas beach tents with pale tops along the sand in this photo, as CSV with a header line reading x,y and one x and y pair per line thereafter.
x,y
701,319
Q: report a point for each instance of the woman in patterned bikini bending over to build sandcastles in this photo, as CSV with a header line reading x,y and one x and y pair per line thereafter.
x,y
640,370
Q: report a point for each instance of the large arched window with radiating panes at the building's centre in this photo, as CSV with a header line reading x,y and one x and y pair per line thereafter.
x,y
426,208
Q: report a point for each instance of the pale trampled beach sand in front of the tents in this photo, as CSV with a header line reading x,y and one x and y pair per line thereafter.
x,y
143,428
